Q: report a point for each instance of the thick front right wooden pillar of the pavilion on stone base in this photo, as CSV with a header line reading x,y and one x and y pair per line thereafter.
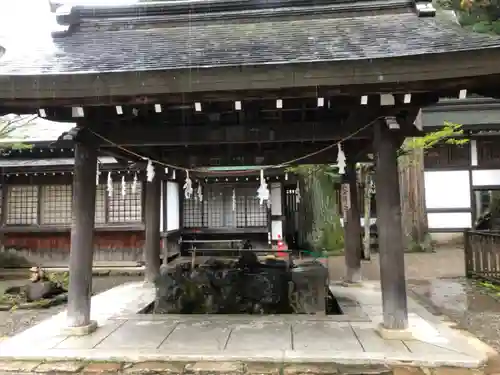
x,y
390,236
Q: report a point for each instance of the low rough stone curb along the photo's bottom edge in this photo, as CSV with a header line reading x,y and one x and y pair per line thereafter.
x,y
218,368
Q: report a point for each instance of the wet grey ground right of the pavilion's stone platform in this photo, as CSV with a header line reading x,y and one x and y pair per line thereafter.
x,y
470,306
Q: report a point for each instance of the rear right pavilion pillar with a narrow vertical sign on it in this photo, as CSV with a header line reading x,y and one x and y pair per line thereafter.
x,y
352,227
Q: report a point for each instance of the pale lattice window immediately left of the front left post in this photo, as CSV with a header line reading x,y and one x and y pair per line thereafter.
x,y
55,205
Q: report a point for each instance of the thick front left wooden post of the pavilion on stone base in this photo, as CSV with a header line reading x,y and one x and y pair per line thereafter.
x,y
82,238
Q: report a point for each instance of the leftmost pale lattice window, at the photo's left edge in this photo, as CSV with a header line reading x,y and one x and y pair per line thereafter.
x,y
22,205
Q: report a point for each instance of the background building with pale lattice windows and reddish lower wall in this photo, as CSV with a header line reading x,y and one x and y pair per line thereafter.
x,y
36,203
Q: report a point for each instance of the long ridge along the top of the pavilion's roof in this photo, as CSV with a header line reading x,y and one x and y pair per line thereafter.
x,y
209,10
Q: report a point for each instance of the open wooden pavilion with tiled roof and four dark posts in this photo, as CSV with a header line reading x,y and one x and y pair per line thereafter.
x,y
242,83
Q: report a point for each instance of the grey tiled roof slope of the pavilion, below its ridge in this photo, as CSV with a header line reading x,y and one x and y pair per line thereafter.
x,y
136,45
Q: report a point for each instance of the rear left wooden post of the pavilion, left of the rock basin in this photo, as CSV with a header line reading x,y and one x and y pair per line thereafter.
x,y
152,213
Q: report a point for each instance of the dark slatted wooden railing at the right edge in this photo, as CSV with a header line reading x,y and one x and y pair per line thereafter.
x,y
482,254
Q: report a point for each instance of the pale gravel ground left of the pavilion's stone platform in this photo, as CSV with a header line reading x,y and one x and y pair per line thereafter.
x,y
13,322
